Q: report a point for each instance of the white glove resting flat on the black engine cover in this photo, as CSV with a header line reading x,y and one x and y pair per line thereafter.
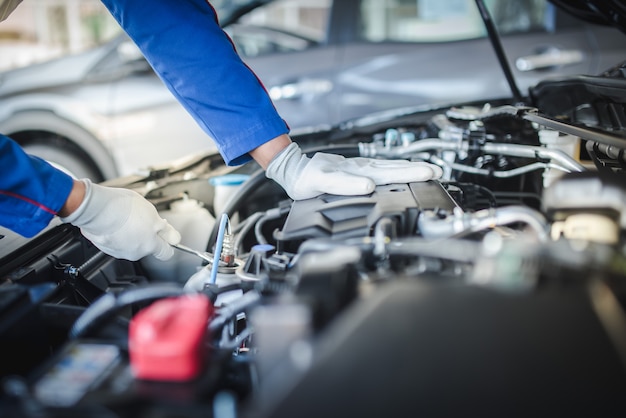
x,y
303,177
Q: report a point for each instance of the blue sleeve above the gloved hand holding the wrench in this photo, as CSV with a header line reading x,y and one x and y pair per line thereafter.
x,y
31,190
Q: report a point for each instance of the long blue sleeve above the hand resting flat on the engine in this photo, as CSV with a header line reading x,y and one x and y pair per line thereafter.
x,y
193,56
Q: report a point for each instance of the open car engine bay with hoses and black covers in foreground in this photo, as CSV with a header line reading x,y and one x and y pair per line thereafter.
x,y
497,289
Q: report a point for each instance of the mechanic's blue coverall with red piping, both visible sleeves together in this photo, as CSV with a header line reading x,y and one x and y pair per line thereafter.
x,y
196,60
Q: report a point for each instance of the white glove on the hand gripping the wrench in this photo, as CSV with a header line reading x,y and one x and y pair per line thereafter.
x,y
123,224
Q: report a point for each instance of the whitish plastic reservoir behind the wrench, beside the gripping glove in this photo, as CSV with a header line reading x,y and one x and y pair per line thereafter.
x,y
195,223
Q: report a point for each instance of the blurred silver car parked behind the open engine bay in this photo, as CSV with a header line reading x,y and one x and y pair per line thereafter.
x,y
104,113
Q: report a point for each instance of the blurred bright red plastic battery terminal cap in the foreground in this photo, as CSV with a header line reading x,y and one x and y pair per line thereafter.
x,y
167,339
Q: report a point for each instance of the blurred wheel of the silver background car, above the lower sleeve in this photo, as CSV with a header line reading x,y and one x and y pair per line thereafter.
x,y
67,158
